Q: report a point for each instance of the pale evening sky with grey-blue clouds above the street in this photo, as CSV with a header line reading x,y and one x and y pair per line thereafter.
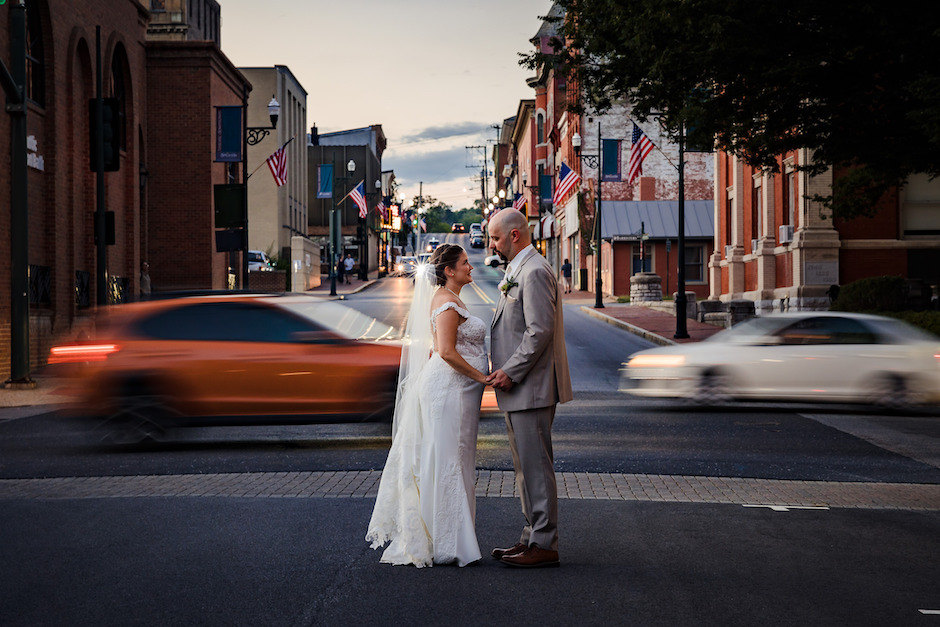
x,y
438,75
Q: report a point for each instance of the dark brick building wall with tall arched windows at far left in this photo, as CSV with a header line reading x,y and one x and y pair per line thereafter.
x,y
62,196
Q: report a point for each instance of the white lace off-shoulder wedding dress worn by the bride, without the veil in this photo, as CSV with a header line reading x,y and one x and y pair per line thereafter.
x,y
426,503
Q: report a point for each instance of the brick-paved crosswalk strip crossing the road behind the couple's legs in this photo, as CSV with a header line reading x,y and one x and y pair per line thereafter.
x,y
773,493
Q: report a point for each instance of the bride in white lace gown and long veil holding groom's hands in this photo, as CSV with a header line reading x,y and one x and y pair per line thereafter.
x,y
426,502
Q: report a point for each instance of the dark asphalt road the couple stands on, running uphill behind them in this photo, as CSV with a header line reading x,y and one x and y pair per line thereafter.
x,y
260,558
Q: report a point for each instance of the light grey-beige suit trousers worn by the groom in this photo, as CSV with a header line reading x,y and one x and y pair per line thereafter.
x,y
530,440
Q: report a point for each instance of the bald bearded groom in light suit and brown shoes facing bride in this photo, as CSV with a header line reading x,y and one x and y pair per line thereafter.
x,y
530,378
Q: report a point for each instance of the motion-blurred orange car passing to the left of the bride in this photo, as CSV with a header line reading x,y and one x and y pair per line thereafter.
x,y
239,359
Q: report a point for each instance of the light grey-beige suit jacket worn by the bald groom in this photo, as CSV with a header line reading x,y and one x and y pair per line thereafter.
x,y
528,339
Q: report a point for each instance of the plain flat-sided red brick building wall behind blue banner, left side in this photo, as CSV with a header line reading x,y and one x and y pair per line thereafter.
x,y
181,146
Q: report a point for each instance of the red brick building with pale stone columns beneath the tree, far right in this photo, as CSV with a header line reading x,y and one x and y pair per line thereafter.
x,y
777,247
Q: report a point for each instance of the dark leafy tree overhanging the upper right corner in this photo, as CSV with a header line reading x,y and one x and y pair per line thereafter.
x,y
856,83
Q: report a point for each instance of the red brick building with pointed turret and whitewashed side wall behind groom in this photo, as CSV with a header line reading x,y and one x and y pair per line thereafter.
x,y
605,143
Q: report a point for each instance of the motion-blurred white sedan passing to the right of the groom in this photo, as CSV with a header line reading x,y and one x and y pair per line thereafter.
x,y
807,356
